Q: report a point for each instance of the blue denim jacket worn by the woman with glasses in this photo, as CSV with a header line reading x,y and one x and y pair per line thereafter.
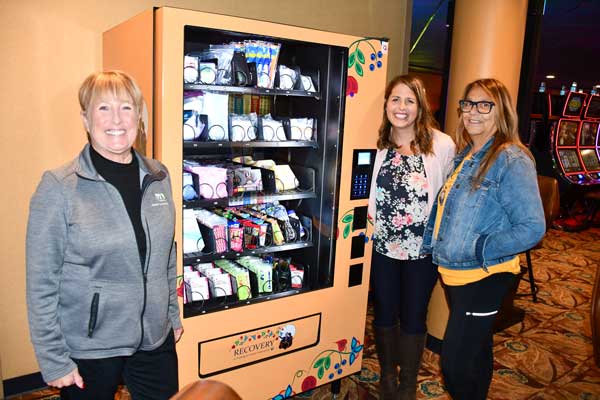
x,y
492,224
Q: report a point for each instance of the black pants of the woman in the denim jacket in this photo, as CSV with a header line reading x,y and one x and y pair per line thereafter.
x,y
467,350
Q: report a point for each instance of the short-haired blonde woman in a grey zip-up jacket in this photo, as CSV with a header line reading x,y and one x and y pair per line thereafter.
x,y
101,272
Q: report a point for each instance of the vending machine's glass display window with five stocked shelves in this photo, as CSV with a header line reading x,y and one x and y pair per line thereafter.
x,y
258,154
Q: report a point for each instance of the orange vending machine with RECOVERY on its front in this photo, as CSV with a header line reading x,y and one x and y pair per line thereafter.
x,y
269,132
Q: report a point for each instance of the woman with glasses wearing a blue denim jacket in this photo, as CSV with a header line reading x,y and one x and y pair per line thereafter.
x,y
487,212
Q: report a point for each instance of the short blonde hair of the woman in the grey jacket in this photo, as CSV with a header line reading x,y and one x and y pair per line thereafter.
x,y
116,83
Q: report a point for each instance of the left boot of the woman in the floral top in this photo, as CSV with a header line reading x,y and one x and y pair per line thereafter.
x,y
385,343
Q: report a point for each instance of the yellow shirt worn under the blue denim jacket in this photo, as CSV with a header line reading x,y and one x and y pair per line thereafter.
x,y
453,277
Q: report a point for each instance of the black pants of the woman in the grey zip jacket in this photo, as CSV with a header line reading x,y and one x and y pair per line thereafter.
x,y
147,374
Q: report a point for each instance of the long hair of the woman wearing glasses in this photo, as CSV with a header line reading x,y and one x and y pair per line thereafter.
x,y
507,125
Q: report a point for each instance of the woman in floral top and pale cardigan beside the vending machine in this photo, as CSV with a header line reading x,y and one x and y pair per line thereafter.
x,y
410,166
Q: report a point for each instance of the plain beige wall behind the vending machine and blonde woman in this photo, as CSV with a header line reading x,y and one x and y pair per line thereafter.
x,y
49,46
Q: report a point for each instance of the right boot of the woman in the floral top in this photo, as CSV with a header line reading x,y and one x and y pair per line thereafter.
x,y
410,348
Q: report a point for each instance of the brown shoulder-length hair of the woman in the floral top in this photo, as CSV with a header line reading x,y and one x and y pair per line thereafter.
x,y
424,124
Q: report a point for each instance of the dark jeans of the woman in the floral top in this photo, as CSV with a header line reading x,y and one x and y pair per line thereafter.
x,y
401,290
